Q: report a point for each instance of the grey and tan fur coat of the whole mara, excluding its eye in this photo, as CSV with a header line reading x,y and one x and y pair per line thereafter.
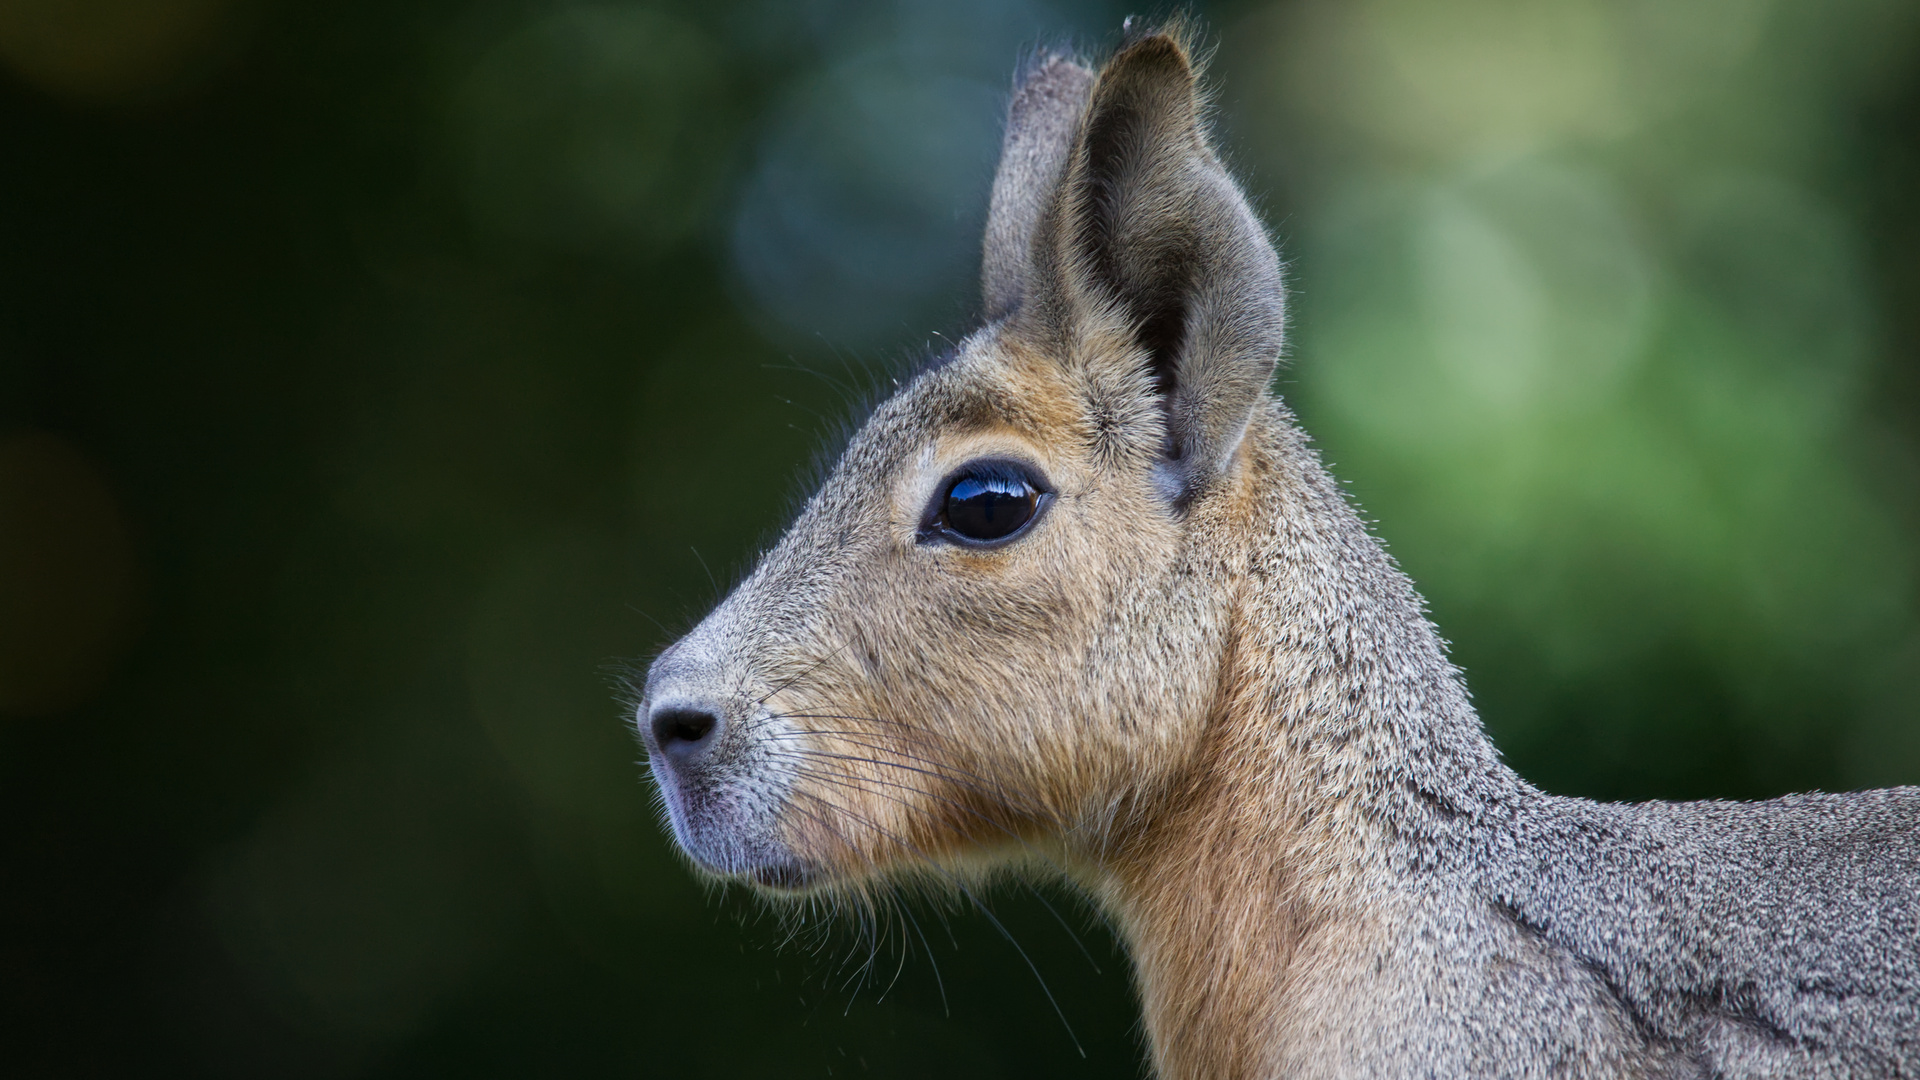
x,y
1201,689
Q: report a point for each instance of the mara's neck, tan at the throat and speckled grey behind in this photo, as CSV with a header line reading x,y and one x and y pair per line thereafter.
x,y
1341,766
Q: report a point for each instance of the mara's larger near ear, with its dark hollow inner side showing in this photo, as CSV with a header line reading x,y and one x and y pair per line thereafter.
x,y
1149,235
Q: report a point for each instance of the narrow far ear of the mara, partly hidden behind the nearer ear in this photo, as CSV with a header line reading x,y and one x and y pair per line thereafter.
x,y
1049,99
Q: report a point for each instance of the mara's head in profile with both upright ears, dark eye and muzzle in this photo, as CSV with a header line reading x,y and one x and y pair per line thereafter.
x,y
1001,622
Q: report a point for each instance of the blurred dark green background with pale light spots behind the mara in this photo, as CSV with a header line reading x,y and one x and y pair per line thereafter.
x,y
377,374
